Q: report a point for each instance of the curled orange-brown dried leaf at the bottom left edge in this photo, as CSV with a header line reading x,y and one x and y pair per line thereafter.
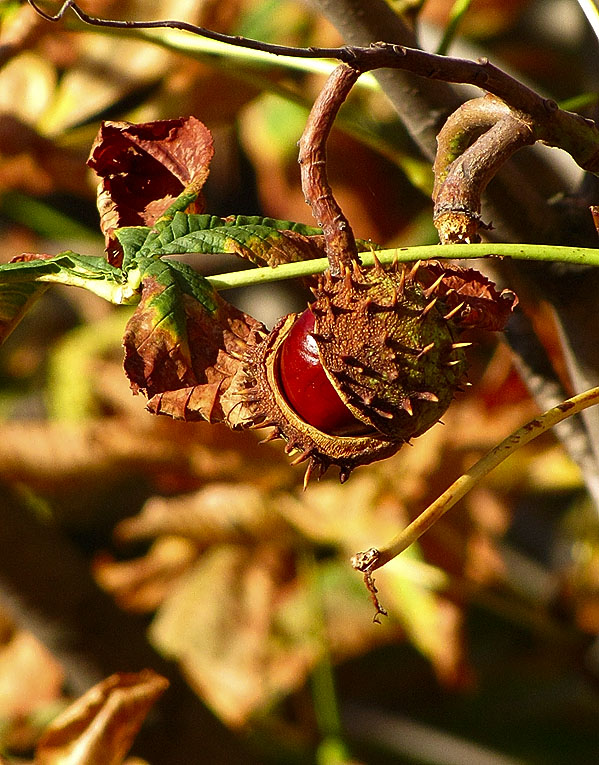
x,y
99,728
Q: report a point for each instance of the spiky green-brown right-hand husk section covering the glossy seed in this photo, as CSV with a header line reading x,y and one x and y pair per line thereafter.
x,y
388,349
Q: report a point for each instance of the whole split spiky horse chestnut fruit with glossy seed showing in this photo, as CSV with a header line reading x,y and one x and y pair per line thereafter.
x,y
372,363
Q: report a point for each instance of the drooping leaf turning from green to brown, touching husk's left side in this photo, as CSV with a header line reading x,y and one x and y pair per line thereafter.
x,y
184,343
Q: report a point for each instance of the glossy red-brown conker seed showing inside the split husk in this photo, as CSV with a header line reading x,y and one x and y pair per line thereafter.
x,y
306,386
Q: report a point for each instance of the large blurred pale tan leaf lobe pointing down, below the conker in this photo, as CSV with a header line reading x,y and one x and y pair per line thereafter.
x,y
223,626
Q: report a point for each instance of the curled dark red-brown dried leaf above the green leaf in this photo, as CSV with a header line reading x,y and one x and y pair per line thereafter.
x,y
145,166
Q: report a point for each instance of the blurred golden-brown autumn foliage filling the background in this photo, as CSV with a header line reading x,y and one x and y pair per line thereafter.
x,y
192,544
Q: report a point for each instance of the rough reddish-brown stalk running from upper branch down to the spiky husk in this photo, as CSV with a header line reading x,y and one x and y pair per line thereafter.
x,y
339,238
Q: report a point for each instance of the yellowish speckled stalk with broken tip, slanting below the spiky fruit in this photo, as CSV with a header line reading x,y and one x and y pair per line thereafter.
x,y
369,561
